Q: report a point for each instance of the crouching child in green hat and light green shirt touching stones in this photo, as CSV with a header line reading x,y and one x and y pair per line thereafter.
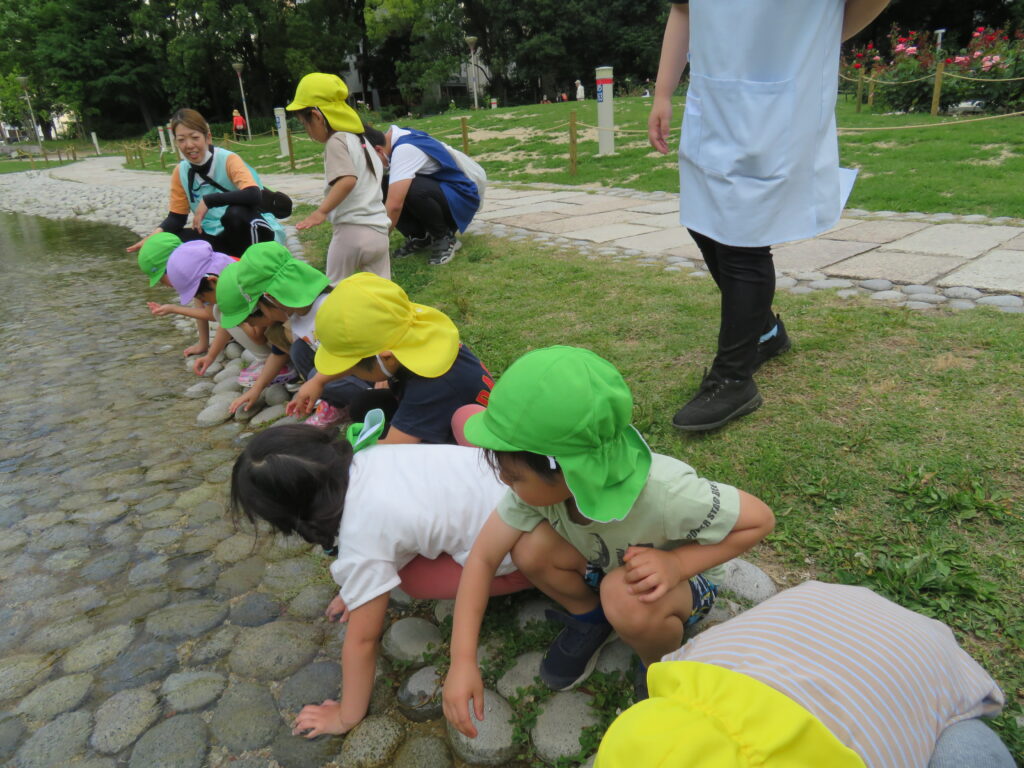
x,y
624,539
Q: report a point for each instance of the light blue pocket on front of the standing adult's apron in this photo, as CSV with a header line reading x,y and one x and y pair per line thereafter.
x,y
746,127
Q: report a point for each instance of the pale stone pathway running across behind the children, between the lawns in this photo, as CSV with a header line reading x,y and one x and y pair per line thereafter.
x,y
916,261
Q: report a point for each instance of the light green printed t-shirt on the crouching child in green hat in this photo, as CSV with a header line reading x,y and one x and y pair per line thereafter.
x,y
675,507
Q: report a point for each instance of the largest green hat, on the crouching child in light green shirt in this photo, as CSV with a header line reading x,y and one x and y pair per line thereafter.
x,y
572,405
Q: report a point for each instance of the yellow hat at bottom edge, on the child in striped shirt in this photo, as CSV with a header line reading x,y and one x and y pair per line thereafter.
x,y
708,716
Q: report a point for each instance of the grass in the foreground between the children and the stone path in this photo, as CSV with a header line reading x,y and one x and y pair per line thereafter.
x,y
889,444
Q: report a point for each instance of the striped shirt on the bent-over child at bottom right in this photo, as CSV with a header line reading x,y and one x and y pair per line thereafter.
x,y
884,680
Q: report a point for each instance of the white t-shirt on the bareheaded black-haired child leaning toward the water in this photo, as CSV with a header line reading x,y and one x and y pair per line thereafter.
x,y
405,501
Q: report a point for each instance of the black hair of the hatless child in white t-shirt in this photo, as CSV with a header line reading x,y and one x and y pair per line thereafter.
x,y
295,479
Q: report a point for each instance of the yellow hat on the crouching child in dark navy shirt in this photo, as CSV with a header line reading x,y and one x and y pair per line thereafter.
x,y
367,315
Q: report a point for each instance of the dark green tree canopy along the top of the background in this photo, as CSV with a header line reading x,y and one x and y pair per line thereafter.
x,y
123,66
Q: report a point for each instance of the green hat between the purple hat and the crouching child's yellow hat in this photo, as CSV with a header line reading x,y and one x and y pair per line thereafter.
x,y
267,269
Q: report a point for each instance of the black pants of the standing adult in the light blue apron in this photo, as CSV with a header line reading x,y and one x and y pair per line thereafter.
x,y
747,279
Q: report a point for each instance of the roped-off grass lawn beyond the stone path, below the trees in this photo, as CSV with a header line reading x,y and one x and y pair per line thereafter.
x,y
964,168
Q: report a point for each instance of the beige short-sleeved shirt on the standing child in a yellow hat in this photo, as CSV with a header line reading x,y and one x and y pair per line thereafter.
x,y
346,156
